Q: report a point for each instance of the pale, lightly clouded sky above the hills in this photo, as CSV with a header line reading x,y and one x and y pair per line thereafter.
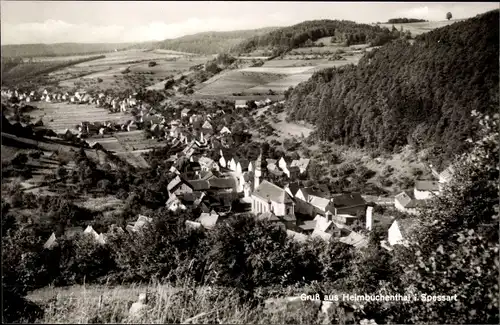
x,y
27,22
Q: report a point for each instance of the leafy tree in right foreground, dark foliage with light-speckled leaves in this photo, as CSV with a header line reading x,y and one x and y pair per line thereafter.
x,y
457,246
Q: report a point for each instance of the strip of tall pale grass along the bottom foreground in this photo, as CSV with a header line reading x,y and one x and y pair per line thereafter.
x,y
167,304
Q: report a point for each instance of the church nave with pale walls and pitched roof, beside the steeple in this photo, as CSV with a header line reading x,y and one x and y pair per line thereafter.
x,y
272,198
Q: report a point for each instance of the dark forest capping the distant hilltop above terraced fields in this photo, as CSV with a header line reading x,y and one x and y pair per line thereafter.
x,y
287,38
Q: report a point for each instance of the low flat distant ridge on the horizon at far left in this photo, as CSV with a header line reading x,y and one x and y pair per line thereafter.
x,y
60,49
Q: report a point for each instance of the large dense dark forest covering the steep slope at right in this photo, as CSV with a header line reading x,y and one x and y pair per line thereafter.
x,y
420,94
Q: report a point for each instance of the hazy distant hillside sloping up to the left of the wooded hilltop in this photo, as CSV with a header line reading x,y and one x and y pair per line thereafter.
x,y
207,42
